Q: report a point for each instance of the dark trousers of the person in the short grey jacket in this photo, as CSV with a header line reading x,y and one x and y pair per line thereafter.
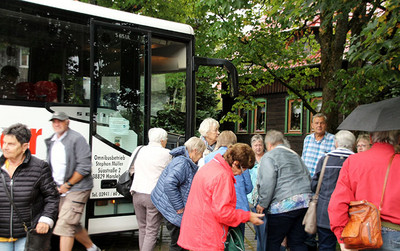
x,y
287,224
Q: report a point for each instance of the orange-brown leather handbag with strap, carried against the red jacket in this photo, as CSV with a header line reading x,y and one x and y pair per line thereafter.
x,y
363,230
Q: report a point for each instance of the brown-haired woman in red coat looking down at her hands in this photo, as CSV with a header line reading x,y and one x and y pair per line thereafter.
x,y
211,206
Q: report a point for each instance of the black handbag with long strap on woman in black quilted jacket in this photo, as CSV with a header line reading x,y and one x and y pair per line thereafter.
x,y
34,241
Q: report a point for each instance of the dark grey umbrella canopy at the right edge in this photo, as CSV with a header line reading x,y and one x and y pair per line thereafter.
x,y
374,117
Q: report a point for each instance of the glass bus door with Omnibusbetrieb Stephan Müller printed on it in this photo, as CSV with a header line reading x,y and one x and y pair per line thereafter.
x,y
117,118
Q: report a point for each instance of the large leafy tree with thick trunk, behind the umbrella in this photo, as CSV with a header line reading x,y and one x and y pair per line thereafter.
x,y
344,24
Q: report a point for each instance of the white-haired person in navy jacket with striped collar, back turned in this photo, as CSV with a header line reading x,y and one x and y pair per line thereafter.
x,y
344,143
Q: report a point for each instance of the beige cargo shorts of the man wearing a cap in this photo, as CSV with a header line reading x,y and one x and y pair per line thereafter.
x,y
70,213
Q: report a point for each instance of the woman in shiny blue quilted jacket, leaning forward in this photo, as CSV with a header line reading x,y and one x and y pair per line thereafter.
x,y
172,189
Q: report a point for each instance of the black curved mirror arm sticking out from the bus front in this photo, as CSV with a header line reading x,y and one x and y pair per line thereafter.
x,y
233,79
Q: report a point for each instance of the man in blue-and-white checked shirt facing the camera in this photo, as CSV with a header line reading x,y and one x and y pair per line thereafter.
x,y
318,143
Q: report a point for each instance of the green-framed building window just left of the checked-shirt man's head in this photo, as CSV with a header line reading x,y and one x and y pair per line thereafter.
x,y
294,116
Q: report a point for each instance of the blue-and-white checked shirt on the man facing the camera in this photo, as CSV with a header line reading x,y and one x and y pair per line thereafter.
x,y
313,149
